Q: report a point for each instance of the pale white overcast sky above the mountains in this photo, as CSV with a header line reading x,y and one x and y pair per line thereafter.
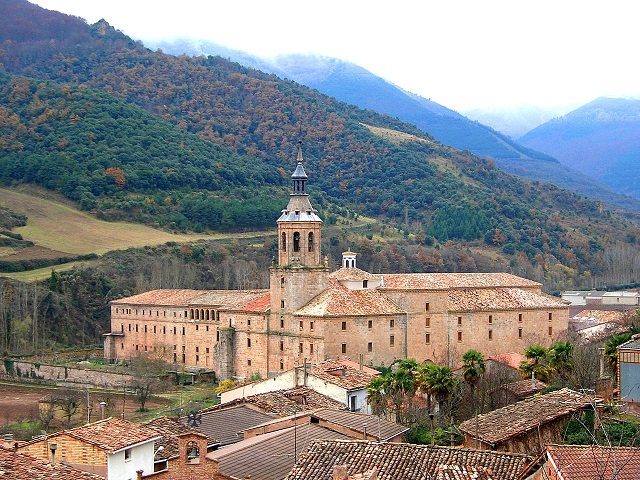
x,y
462,54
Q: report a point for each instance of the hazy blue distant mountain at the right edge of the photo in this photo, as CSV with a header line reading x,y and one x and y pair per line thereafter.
x,y
600,139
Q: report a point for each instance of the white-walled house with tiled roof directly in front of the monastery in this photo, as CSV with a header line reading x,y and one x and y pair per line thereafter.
x,y
342,380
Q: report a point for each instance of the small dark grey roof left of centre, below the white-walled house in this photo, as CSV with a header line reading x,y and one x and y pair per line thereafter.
x,y
226,425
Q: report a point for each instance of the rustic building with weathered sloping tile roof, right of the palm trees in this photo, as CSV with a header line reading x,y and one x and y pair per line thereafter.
x,y
528,425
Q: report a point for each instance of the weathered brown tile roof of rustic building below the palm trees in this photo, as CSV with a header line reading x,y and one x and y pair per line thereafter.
x,y
504,423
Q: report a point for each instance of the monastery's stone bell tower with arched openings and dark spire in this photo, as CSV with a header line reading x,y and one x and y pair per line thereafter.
x,y
299,274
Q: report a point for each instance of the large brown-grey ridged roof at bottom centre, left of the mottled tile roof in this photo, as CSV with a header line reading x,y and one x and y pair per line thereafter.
x,y
270,456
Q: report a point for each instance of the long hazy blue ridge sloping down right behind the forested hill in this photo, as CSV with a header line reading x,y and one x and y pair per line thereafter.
x,y
352,84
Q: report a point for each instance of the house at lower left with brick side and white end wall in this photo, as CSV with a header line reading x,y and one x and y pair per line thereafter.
x,y
113,448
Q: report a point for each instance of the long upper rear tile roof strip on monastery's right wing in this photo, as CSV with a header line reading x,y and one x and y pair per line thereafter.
x,y
446,281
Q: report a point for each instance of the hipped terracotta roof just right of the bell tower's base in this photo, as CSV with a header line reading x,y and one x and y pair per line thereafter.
x,y
338,300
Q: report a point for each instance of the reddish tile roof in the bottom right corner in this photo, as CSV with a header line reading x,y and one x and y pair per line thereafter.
x,y
586,462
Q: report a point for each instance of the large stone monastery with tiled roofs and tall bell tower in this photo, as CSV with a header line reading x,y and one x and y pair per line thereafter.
x,y
309,312
